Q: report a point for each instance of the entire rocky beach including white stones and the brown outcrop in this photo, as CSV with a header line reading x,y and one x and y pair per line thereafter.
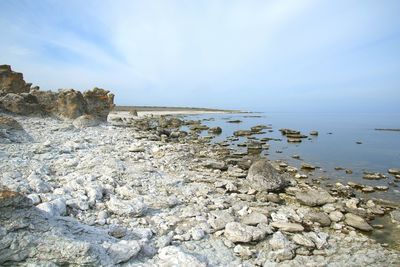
x,y
81,184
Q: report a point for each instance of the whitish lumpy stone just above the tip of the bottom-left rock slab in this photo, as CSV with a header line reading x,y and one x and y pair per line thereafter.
x,y
135,207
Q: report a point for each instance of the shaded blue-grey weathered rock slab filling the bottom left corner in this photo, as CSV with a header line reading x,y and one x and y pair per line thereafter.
x,y
30,236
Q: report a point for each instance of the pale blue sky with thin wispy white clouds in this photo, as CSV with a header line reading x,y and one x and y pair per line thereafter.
x,y
278,56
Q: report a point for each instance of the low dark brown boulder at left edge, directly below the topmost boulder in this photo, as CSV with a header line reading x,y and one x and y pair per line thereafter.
x,y
24,104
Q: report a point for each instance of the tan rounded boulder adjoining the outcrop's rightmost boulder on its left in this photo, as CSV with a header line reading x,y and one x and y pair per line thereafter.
x,y
71,104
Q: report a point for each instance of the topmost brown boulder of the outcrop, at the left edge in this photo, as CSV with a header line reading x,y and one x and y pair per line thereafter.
x,y
12,82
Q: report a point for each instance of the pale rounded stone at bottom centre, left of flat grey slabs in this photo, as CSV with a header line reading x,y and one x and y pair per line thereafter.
x,y
241,233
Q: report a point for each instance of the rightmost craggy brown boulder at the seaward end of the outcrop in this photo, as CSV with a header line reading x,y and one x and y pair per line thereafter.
x,y
99,102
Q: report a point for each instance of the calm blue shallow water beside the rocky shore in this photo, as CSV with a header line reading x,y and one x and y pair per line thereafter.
x,y
379,151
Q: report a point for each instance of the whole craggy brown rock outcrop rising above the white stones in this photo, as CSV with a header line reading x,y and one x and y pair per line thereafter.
x,y
17,96
